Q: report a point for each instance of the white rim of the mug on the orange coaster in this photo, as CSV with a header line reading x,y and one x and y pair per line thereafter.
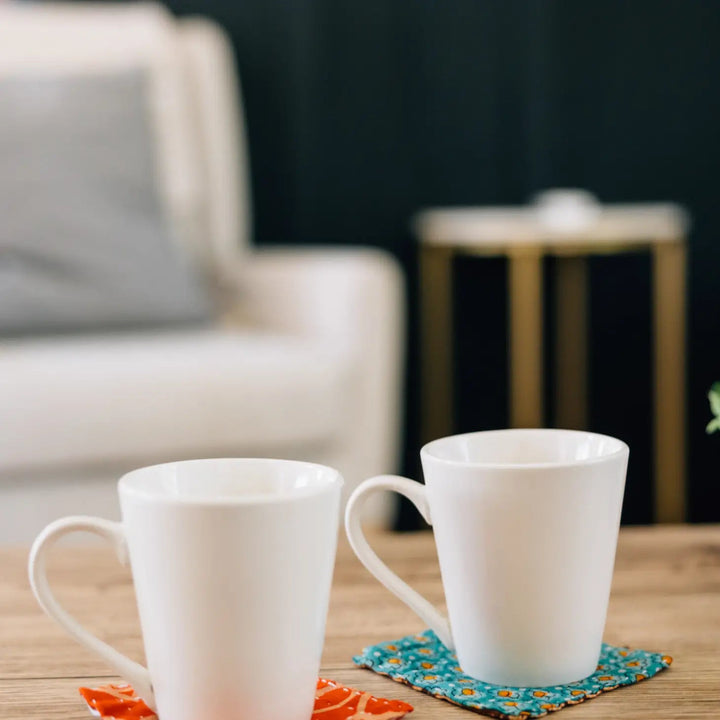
x,y
128,484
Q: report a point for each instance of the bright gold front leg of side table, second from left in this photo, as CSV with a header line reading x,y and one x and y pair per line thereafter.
x,y
525,286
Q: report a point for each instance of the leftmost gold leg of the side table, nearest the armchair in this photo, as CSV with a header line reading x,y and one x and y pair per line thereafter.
x,y
436,342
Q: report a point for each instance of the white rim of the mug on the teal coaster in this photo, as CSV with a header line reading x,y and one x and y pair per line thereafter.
x,y
426,452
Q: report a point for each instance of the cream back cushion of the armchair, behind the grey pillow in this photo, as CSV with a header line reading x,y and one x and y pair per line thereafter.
x,y
75,39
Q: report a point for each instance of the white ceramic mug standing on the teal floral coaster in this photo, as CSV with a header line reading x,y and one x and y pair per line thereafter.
x,y
526,525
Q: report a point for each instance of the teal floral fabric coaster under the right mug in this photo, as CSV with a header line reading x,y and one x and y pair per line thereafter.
x,y
425,664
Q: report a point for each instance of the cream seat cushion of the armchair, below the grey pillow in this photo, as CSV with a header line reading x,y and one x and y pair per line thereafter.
x,y
156,397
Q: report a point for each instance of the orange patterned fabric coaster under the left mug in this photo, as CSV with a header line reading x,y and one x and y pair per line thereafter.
x,y
333,701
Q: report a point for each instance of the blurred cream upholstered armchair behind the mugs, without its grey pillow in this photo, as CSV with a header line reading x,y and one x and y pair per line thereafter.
x,y
304,360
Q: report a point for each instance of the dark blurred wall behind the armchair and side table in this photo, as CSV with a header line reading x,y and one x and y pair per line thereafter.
x,y
360,114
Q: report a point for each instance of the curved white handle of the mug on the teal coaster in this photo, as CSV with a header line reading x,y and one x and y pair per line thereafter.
x,y
416,493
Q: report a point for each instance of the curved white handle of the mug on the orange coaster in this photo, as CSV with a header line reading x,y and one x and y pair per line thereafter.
x,y
113,532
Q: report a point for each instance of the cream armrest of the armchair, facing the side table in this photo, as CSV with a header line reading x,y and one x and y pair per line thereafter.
x,y
354,301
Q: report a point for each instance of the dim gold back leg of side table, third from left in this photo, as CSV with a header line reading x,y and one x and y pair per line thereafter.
x,y
571,312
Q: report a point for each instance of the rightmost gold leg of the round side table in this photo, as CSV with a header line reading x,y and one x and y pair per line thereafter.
x,y
669,323
